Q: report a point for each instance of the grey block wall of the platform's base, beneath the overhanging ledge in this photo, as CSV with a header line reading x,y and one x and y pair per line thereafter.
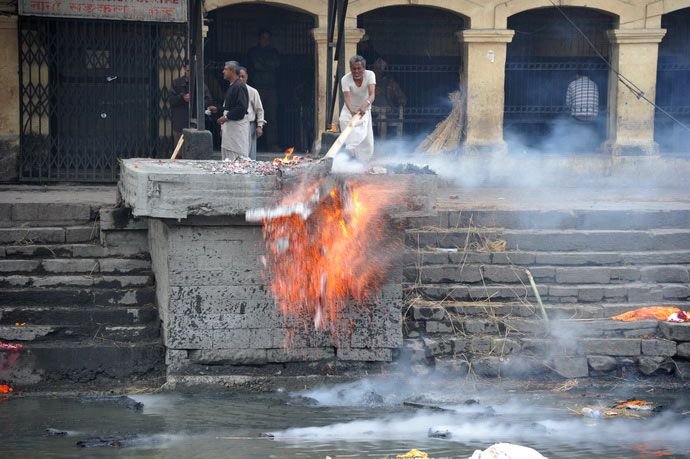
x,y
218,315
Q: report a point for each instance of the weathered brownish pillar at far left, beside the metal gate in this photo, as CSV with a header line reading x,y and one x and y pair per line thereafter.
x,y
9,112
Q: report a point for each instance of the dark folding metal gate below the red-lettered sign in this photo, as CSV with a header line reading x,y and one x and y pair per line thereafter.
x,y
93,92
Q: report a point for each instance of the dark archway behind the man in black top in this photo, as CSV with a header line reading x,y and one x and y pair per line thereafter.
x,y
233,31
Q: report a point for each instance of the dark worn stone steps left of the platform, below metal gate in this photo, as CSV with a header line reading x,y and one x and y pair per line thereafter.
x,y
76,289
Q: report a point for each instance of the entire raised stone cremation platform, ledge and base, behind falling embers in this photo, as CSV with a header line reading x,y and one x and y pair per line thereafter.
x,y
220,320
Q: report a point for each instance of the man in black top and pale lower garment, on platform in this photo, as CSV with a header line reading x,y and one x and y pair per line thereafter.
x,y
234,124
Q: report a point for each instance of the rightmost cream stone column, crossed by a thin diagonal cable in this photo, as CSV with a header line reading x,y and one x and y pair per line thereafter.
x,y
630,122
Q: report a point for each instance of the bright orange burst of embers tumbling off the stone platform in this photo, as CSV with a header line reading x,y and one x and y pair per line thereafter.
x,y
337,251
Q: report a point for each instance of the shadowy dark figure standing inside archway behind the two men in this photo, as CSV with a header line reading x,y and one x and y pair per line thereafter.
x,y
264,61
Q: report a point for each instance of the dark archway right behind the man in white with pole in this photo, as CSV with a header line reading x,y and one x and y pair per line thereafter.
x,y
422,55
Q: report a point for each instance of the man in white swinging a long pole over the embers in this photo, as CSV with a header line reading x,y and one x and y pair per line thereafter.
x,y
359,91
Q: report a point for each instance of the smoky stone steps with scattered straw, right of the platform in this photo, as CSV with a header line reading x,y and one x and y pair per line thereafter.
x,y
470,305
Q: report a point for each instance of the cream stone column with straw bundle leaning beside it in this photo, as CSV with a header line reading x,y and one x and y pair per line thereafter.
x,y
484,75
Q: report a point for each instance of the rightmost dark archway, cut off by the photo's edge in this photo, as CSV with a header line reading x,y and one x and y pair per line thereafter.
x,y
673,83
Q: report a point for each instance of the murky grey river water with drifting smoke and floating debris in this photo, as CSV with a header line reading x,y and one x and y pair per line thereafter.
x,y
362,419
